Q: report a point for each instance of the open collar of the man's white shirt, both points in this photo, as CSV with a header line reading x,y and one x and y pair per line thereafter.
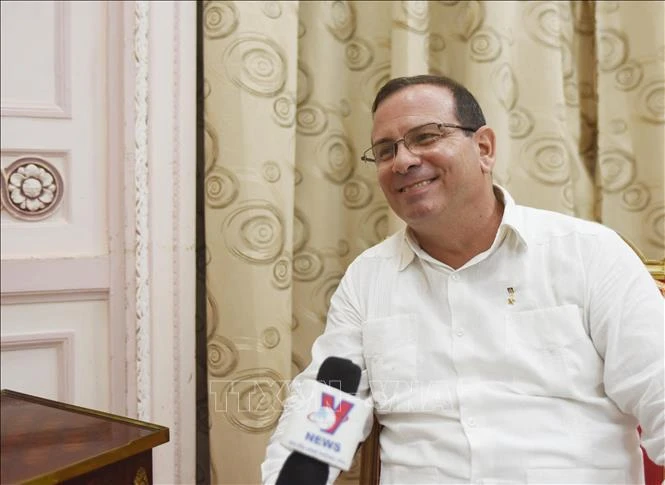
x,y
511,221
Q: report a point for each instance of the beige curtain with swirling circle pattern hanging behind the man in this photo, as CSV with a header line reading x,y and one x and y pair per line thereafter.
x,y
574,90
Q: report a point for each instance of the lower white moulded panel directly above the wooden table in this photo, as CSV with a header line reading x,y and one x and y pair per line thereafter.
x,y
72,336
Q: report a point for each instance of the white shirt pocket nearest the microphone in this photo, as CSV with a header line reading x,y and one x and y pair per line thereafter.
x,y
390,351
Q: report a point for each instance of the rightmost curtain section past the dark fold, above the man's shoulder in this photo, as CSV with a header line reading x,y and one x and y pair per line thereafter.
x,y
631,114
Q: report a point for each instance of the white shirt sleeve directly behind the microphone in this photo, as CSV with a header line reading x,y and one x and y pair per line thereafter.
x,y
342,337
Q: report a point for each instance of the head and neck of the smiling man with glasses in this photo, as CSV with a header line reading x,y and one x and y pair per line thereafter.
x,y
442,179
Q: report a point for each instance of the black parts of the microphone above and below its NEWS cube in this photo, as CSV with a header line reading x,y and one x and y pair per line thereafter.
x,y
301,469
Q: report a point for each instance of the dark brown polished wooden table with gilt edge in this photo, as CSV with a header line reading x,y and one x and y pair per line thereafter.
x,y
46,442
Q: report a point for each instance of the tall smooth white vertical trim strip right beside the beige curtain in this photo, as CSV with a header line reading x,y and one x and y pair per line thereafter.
x,y
172,182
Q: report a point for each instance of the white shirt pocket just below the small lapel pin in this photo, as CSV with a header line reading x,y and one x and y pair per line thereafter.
x,y
543,346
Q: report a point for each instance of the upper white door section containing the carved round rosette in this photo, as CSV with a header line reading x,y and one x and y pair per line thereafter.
x,y
56,204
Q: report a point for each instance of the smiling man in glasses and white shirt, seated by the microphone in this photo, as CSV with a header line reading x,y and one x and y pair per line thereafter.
x,y
497,343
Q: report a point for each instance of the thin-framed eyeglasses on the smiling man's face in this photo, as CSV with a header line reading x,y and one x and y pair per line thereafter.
x,y
417,140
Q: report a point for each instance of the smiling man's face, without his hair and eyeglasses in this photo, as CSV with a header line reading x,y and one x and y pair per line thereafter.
x,y
449,177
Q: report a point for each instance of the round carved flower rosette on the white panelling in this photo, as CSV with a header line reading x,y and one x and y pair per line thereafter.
x,y
32,189
